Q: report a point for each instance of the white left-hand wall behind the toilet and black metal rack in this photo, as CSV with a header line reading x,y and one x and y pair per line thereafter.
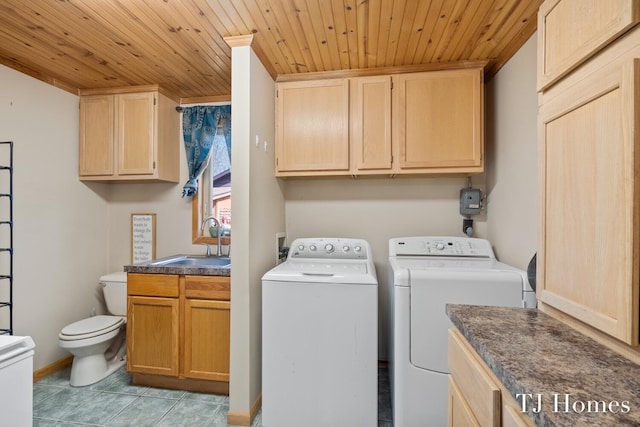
x,y
60,223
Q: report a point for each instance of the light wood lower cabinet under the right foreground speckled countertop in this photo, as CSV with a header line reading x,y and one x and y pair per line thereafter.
x,y
476,397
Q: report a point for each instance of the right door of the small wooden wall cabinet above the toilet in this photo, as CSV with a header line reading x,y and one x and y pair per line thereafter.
x,y
135,126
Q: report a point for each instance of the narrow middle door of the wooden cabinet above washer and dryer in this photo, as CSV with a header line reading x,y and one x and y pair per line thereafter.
x,y
371,124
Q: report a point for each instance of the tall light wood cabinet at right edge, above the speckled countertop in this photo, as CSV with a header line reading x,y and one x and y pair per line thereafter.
x,y
589,160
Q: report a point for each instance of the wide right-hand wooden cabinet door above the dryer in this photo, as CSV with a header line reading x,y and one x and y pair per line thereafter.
x,y
438,121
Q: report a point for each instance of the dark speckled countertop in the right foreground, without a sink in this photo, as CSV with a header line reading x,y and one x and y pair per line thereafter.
x,y
533,353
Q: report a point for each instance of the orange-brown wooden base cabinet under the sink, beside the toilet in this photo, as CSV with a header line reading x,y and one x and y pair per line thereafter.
x,y
178,328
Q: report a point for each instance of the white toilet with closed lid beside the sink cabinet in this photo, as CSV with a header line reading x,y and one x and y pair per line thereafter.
x,y
98,343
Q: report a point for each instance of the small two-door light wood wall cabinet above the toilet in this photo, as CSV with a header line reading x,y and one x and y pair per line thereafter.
x,y
131,135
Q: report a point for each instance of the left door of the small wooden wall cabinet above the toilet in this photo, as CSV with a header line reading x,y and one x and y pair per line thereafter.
x,y
96,135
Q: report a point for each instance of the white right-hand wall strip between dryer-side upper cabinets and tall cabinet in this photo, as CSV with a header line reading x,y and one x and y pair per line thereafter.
x,y
512,174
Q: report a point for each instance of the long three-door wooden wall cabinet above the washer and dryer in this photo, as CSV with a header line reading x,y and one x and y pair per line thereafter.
x,y
414,123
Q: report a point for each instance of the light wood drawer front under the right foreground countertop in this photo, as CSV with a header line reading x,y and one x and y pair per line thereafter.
x,y
479,390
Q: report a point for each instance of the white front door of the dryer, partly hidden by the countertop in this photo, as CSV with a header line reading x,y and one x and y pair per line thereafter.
x,y
431,290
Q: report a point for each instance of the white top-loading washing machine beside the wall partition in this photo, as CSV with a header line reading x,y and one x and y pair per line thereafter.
x,y
320,336
